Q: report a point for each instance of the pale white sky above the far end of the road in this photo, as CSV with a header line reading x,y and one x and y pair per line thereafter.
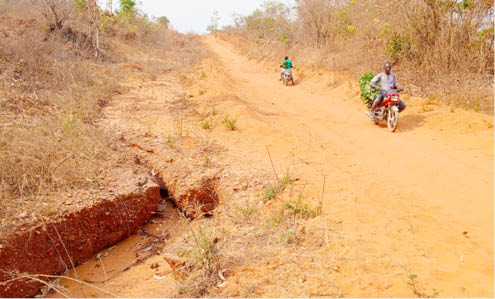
x,y
194,15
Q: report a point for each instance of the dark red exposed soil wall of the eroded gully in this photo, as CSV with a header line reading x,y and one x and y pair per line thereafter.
x,y
53,247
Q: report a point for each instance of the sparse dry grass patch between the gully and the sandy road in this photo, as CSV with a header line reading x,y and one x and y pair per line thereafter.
x,y
240,235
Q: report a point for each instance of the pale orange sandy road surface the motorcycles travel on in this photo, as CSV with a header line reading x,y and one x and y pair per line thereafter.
x,y
419,200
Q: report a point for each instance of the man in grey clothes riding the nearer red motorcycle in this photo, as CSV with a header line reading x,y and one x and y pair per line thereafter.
x,y
388,82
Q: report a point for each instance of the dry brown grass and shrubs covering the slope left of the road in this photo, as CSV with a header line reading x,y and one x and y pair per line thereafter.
x,y
58,68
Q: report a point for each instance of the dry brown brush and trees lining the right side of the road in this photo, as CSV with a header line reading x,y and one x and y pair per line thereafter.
x,y
438,47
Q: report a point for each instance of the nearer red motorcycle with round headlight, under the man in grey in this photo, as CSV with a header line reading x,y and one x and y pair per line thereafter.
x,y
388,110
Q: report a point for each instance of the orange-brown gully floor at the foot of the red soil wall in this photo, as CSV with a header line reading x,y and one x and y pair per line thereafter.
x,y
115,271
